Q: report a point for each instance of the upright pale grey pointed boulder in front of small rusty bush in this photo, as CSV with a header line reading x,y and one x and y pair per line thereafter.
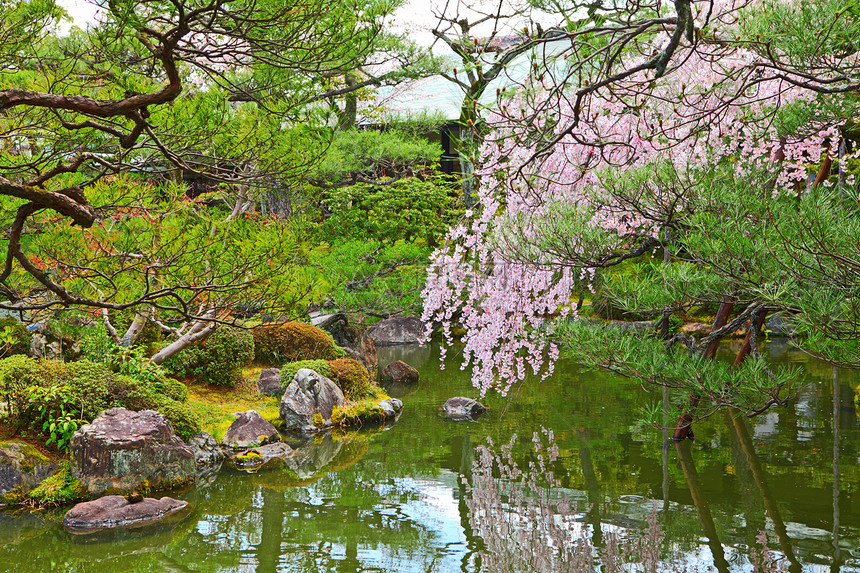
x,y
308,395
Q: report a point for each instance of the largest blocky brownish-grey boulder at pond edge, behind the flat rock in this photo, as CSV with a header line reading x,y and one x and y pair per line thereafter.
x,y
127,451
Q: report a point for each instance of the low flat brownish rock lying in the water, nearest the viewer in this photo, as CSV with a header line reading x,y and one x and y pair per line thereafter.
x,y
116,511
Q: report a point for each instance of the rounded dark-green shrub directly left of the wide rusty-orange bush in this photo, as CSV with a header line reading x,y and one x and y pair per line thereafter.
x,y
218,359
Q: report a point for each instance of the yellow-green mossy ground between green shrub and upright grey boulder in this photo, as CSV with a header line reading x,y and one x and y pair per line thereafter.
x,y
215,406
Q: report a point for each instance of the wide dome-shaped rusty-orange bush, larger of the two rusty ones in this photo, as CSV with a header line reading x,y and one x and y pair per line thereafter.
x,y
279,343
